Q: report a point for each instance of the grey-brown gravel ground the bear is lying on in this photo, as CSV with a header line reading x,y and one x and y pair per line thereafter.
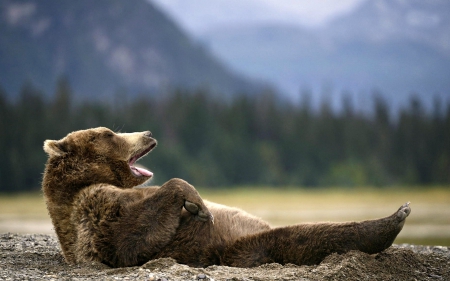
x,y
37,257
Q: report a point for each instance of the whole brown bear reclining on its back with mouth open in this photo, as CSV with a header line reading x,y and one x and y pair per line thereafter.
x,y
99,216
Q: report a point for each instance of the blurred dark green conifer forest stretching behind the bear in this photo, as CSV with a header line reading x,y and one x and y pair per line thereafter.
x,y
248,140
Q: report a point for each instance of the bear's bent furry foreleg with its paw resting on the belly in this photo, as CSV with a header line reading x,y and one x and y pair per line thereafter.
x,y
151,223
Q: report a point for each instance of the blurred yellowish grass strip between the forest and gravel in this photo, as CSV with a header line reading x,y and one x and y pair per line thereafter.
x,y
428,224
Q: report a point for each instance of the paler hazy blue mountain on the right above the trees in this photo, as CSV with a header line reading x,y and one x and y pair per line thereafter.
x,y
396,47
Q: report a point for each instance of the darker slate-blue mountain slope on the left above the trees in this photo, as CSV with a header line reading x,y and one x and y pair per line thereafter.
x,y
104,46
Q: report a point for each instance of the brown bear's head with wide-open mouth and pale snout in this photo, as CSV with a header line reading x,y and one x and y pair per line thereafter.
x,y
96,156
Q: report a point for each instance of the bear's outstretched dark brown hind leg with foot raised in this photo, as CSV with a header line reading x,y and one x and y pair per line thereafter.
x,y
308,244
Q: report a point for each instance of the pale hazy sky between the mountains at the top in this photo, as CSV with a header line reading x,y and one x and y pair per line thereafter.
x,y
197,16
